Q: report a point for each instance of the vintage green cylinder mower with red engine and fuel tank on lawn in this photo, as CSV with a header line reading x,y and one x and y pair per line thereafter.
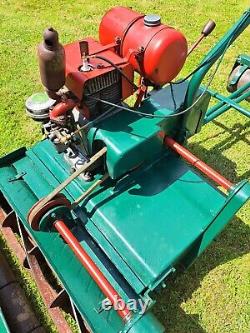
x,y
111,198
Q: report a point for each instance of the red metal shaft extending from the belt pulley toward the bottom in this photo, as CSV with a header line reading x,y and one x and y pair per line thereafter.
x,y
92,269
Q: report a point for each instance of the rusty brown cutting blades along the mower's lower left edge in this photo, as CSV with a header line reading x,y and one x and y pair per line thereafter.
x,y
8,224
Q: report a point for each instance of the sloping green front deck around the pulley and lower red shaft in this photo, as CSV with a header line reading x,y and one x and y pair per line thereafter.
x,y
44,169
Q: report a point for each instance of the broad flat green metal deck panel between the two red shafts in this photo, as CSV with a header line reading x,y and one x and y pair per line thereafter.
x,y
149,200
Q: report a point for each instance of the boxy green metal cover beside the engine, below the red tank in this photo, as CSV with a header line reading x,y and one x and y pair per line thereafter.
x,y
132,139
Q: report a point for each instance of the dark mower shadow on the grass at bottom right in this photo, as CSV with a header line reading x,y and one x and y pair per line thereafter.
x,y
232,243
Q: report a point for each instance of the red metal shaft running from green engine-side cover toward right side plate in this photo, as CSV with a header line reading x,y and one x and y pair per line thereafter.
x,y
197,163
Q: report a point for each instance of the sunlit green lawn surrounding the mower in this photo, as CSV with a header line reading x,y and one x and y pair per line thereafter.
x,y
213,295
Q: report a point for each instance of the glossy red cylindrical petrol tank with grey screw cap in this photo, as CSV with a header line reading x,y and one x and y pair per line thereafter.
x,y
156,51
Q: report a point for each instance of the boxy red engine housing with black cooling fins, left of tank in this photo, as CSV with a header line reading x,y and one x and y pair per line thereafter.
x,y
102,81
